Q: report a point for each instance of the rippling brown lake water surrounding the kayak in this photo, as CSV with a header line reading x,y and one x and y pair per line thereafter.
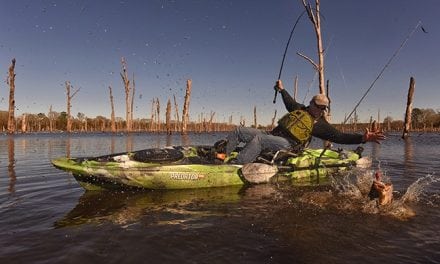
x,y
46,217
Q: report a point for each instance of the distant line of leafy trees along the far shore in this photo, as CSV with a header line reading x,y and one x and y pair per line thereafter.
x,y
425,120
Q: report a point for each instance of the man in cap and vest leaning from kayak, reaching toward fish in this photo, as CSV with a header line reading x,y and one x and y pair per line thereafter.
x,y
294,130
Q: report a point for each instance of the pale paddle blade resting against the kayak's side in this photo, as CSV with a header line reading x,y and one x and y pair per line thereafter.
x,y
258,172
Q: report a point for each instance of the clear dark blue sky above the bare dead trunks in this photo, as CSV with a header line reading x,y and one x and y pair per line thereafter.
x,y
231,50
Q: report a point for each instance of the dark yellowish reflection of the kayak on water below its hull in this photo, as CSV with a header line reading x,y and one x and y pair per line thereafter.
x,y
125,207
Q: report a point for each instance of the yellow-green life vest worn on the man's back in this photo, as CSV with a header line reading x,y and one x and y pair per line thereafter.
x,y
299,124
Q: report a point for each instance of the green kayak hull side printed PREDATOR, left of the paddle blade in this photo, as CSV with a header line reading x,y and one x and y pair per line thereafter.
x,y
110,175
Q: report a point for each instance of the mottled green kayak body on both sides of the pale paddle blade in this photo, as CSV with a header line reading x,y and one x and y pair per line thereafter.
x,y
121,171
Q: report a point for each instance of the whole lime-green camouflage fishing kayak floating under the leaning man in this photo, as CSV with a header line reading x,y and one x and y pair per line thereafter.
x,y
196,167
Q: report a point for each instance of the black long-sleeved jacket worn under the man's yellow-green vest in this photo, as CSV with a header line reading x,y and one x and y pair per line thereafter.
x,y
321,129
